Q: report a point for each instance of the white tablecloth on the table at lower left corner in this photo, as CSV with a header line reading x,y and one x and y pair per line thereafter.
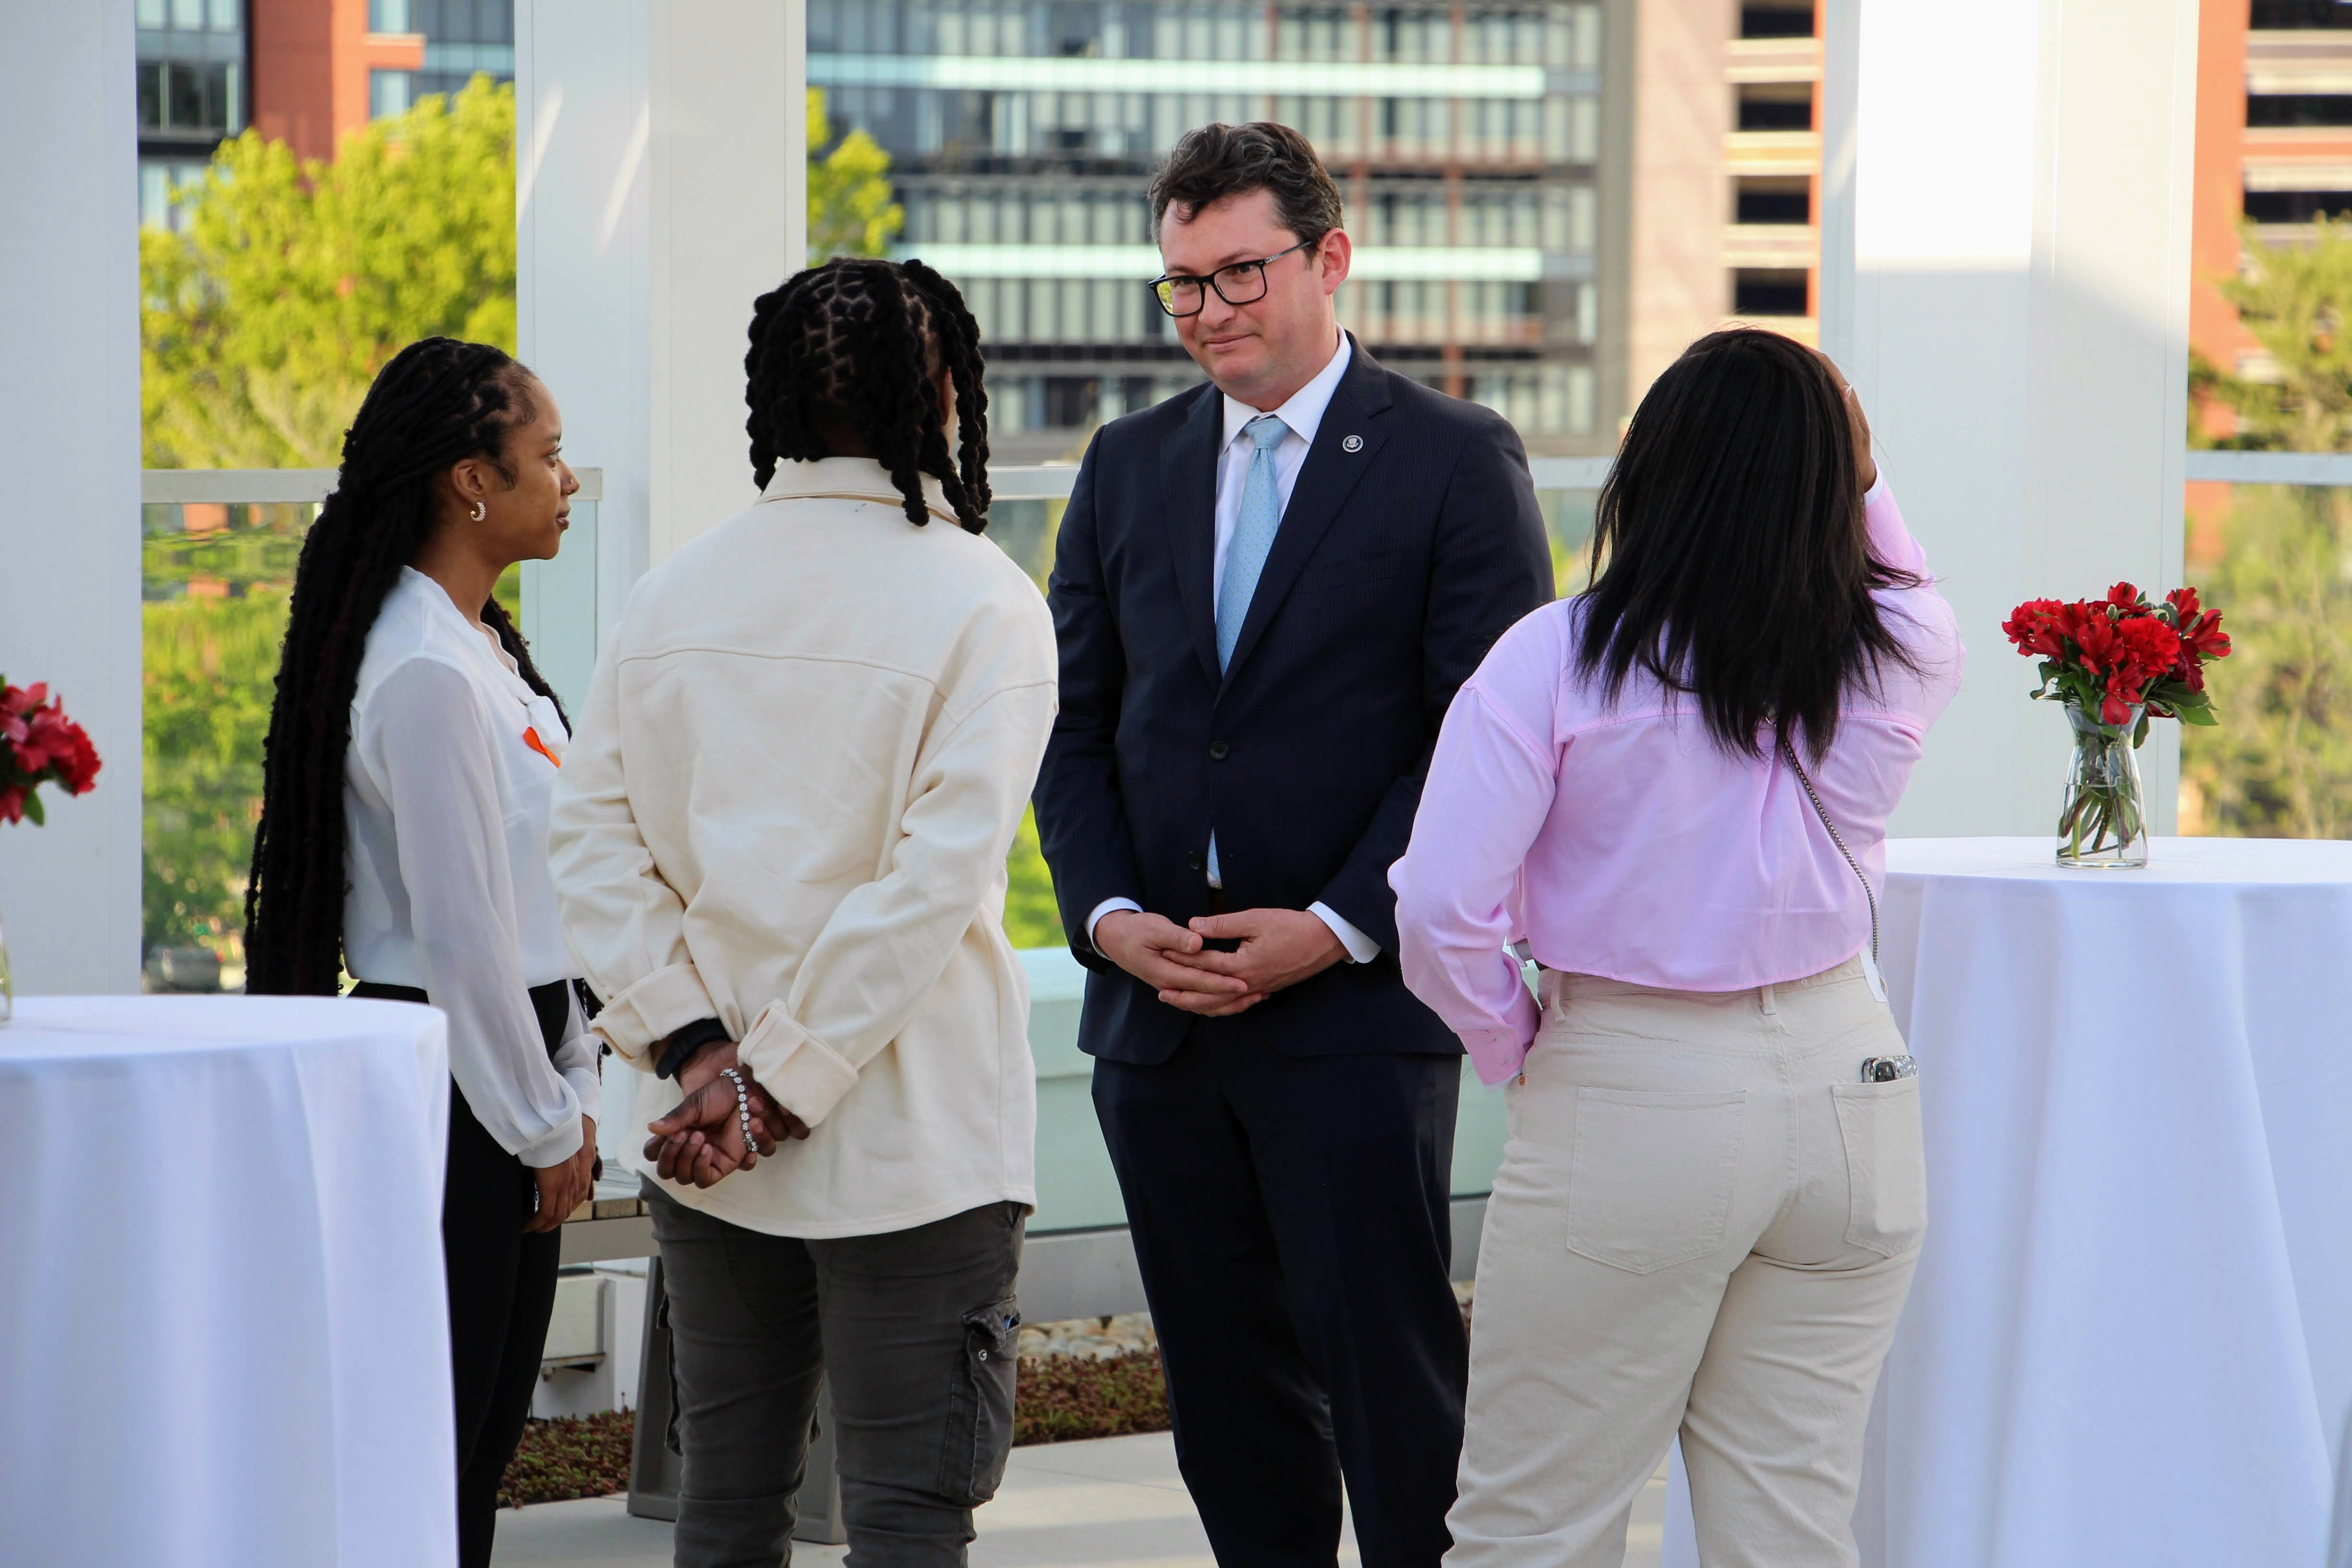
x,y
222,1320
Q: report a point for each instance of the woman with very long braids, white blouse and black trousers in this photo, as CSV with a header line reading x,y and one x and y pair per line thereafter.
x,y
403,836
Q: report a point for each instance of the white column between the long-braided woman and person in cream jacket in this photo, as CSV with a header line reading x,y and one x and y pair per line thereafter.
x,y
662,156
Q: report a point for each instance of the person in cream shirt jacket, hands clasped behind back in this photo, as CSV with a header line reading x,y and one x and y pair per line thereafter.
x,y
780,847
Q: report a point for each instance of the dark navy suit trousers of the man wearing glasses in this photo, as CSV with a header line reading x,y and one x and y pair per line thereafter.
x,y
1292,1224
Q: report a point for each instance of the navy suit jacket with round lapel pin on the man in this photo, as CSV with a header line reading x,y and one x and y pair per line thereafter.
x,y
1410,544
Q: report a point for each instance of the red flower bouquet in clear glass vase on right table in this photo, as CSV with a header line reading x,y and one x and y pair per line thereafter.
x,y
2118,664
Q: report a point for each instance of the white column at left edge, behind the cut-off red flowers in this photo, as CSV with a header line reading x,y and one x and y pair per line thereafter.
x,y
69,474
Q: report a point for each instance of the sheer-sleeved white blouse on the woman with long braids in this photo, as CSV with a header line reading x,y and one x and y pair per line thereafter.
x,y
448,786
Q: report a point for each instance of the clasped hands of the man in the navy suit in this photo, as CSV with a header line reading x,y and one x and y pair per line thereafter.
x,y
1278,949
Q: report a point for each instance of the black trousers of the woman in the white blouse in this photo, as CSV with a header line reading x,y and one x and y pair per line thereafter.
x,y
502,1292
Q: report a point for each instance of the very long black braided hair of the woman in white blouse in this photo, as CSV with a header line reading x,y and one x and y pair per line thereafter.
x,y
432,406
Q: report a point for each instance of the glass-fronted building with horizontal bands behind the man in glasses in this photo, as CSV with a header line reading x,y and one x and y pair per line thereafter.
x,y
1464,135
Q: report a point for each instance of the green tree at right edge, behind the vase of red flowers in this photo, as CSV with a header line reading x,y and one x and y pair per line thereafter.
x,y
2280,763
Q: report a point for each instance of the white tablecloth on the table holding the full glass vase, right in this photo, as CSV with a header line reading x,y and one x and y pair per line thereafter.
x,y
2132,1329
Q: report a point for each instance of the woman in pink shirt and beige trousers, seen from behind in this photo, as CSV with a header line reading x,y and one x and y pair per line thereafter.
x,y
1713,1193
